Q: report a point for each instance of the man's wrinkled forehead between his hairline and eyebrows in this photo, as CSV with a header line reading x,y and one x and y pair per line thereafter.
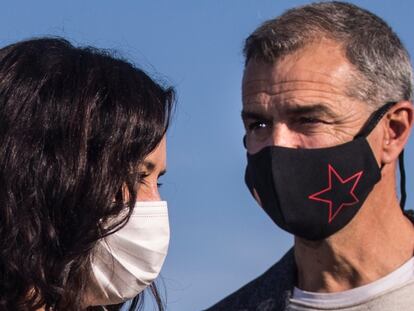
x,y
317,73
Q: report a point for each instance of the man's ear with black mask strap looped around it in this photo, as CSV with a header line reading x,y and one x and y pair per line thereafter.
x,y
398,124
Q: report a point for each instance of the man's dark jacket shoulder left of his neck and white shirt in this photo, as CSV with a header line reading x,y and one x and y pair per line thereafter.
x,y
268,292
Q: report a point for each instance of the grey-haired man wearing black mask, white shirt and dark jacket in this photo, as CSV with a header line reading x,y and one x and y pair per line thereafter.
x,y
327,92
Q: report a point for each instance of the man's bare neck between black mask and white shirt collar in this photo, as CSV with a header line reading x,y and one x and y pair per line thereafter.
x,y
376,242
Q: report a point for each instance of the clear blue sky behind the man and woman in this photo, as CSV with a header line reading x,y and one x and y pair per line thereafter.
x,y
220,238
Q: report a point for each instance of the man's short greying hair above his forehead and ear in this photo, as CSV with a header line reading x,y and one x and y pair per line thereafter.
x,y
383,70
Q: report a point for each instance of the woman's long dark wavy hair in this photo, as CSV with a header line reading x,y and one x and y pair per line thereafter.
x,y
74,125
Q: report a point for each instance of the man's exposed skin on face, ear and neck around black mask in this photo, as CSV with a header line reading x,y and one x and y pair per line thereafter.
x,y
300,101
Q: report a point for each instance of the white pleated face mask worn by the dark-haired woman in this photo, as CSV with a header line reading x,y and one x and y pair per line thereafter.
x,y
128,260
